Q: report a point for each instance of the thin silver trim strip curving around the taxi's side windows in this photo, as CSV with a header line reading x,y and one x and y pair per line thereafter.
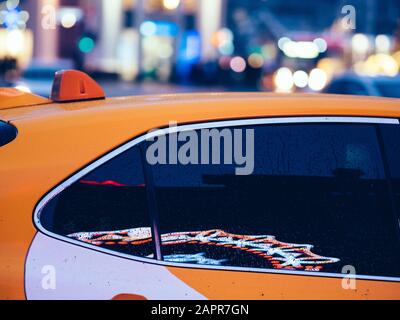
x,y
204,125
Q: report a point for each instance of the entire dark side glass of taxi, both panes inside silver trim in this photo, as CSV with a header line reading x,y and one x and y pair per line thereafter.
x,y
318,200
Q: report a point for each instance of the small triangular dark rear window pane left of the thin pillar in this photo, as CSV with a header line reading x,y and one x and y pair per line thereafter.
x,y
106,208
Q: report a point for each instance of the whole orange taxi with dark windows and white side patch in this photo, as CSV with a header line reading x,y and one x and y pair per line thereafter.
x,y
84,214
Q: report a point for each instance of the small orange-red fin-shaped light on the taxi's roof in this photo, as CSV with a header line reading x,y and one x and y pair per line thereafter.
x,y
73,85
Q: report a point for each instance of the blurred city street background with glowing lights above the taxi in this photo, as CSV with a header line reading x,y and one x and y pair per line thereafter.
x,y
162,46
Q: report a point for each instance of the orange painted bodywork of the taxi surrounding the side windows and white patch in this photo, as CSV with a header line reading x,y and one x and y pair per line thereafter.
x,y
56,140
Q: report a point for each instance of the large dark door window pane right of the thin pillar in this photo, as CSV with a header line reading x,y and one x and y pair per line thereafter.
x,y
318,200
